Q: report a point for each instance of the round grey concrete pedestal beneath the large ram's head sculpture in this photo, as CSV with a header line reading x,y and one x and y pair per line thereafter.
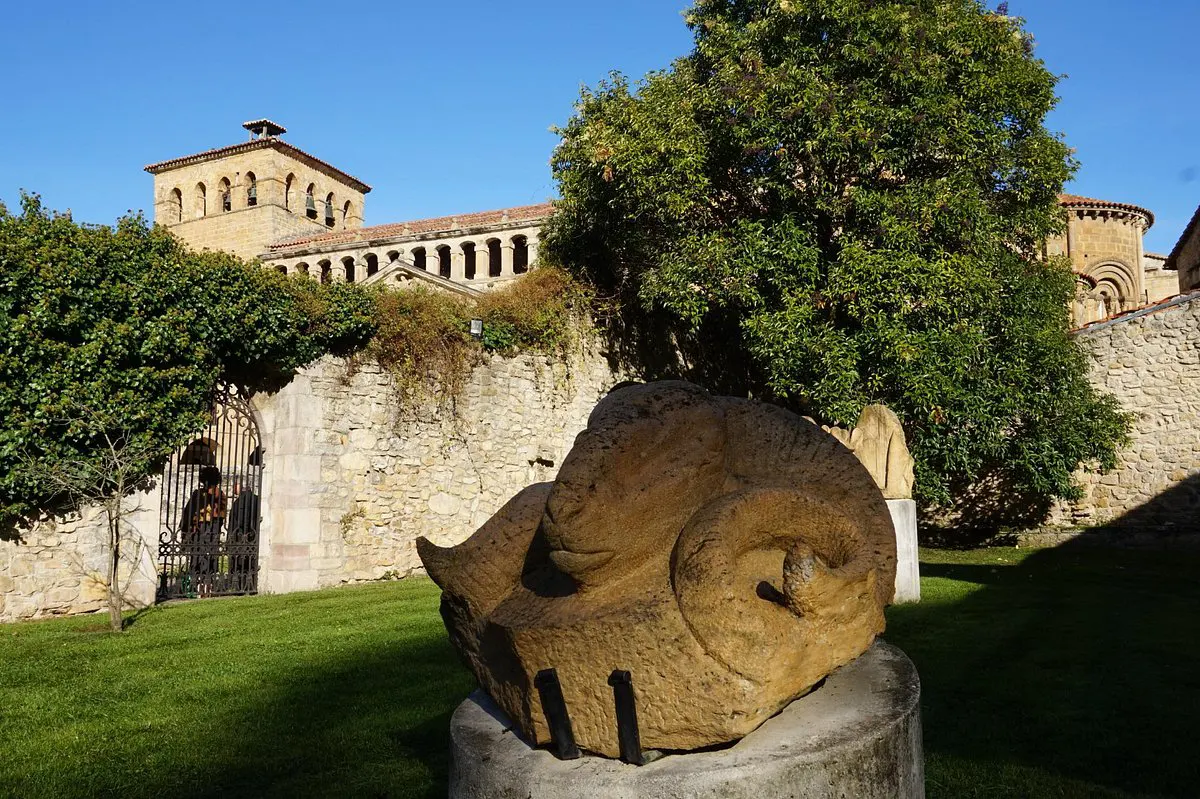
x,y
859,736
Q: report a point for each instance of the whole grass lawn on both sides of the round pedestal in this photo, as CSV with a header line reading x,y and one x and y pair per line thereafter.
x,y
1048,674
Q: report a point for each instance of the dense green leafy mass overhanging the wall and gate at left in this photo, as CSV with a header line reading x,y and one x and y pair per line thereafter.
x,y
112,340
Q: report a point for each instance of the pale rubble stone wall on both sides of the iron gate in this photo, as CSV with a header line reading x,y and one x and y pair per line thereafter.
x,y
351,479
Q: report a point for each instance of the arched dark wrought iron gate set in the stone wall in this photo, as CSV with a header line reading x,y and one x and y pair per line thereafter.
x,y
212,507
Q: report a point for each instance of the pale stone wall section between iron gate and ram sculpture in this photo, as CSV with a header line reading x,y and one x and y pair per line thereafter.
x,y
358,478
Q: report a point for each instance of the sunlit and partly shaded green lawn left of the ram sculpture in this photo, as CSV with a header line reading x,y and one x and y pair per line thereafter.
x,y
333,694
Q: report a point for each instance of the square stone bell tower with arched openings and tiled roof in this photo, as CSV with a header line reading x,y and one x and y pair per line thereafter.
x,y
244,197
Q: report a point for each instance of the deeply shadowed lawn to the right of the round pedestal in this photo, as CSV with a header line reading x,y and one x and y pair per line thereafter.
x,y
1070,672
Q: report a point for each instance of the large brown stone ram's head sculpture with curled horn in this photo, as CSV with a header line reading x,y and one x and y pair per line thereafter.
x,y
728,554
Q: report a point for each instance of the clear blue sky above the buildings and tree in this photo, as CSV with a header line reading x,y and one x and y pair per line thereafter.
x,y
447,107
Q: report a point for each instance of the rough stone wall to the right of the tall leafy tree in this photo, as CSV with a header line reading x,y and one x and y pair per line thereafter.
x,y
1150,361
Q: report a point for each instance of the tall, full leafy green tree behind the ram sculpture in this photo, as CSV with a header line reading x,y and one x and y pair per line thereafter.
x,y
841,202
